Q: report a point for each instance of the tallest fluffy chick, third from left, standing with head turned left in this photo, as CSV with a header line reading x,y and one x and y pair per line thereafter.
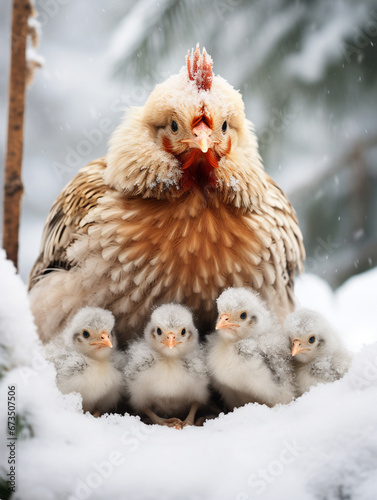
x,y
248,357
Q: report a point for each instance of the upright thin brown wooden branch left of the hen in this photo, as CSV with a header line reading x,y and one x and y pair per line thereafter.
x,y
13,188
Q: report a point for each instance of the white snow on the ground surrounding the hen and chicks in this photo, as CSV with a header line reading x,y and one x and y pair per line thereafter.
x,y
322,446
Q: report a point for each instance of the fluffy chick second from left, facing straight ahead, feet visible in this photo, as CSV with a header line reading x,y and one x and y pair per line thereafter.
x,y
166,374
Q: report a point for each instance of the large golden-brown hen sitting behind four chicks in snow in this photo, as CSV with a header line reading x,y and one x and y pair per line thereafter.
x,y
178,210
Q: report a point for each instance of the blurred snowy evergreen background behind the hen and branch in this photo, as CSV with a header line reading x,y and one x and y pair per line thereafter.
x,y
307,71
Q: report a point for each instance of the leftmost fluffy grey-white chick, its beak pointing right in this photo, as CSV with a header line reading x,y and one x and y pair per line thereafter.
x,y
85,361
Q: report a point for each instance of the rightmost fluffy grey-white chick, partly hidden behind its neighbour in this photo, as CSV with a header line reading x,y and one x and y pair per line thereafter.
x,y
319,355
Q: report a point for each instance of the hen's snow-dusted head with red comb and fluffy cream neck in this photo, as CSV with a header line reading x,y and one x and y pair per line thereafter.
x,y
191,133
